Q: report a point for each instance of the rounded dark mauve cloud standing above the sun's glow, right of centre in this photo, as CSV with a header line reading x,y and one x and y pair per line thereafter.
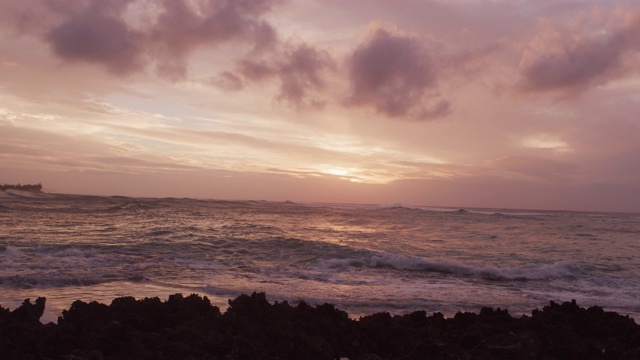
x,y
396,75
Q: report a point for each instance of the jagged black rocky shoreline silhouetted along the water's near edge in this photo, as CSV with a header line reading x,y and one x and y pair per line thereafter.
x,y
252,328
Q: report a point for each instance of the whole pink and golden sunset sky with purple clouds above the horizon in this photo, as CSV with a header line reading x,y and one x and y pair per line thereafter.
x,y
527,104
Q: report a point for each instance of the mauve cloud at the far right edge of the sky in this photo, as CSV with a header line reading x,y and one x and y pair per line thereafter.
x,y
590,51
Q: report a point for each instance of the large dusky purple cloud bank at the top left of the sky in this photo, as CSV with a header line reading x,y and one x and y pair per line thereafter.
x,y
99,32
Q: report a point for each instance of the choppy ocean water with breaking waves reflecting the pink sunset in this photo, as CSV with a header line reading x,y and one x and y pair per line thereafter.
x,y
362,258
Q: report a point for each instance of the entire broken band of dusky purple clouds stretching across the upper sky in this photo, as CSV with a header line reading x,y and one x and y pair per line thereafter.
x,y
396,74
